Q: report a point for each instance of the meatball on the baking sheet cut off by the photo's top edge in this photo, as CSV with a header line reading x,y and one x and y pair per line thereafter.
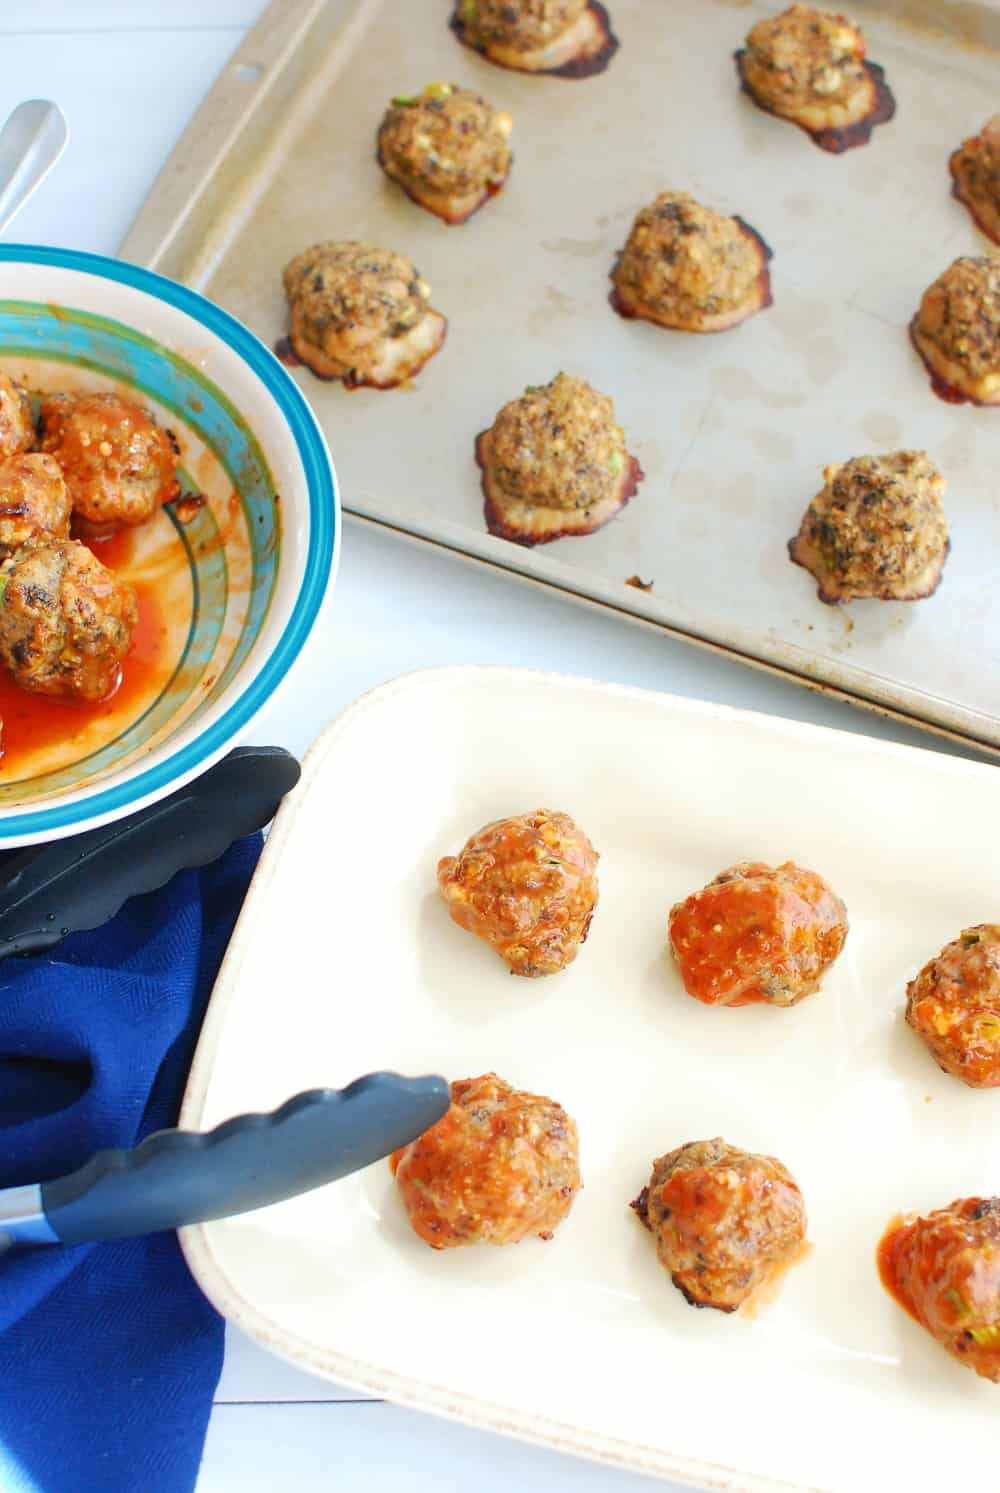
x,y
569,38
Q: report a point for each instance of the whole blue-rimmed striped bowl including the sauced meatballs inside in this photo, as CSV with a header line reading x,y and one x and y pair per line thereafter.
x,y
168,531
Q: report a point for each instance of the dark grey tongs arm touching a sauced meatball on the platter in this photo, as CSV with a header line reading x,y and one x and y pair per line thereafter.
x,y
180,1177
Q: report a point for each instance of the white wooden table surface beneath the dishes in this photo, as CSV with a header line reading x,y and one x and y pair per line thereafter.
x,y
129,74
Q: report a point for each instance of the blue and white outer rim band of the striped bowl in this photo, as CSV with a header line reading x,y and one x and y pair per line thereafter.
x,y
320,568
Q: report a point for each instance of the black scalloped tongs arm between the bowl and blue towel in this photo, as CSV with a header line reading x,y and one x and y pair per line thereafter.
x,y
80,883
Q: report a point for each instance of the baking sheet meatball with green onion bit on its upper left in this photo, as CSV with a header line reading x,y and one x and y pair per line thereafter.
x,y
447,149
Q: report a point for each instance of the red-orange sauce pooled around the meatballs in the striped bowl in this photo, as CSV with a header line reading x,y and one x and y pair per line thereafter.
x,y
35,722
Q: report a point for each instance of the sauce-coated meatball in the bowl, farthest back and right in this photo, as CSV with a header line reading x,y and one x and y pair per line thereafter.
x,y
119,464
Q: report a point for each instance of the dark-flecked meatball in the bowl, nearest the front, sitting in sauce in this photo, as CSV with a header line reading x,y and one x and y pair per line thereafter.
x,y
66,622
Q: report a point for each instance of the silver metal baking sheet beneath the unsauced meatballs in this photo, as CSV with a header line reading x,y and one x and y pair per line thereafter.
x,y
732,431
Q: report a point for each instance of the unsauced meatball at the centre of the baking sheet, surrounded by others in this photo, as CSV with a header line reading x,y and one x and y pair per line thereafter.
x,y
689,268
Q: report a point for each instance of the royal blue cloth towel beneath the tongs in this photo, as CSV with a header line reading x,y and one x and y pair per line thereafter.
x,y
110,1355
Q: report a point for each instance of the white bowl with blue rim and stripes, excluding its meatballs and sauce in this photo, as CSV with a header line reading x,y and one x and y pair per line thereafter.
x,y
243,579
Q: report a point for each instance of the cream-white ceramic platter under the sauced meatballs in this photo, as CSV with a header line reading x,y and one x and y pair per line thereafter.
x,y
346,961
